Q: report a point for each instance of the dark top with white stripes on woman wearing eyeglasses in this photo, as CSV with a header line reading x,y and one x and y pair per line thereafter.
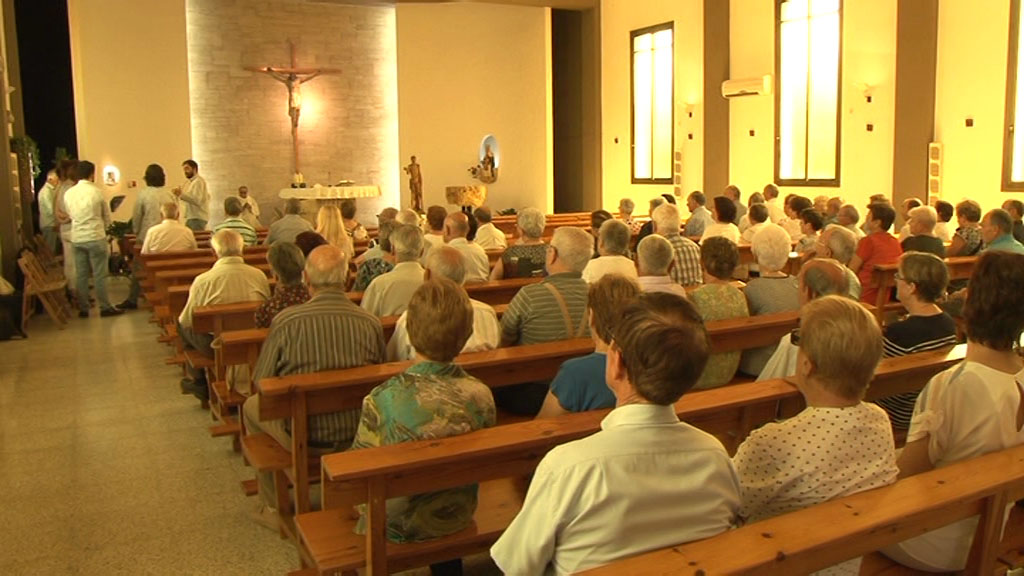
x,y
916,334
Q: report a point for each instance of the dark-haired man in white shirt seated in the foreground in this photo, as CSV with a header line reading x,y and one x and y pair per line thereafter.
x,y
675,482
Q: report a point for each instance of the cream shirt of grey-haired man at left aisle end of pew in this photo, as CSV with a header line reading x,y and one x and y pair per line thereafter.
x,y
231,280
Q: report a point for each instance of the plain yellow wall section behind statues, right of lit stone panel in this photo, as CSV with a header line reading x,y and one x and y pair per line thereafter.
x,y
466,71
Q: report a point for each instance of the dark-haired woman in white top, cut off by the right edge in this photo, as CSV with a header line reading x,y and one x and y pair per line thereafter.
x,y
972,409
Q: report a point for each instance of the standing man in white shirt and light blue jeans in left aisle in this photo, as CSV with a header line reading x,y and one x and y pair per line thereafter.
x,y
90,219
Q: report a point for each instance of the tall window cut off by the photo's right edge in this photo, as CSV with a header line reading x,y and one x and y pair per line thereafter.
x,y
1013,146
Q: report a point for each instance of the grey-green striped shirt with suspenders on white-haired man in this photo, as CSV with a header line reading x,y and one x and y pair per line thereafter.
x,y
535,316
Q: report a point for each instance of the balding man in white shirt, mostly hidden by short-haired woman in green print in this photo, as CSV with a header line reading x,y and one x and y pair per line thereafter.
x,y
447,262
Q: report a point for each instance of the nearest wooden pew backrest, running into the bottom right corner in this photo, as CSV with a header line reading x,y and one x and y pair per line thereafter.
x,y
850,527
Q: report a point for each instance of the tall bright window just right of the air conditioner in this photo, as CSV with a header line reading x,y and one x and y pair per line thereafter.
x,y
807,69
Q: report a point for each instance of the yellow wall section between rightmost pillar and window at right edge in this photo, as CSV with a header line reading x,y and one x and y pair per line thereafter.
x,y
971,81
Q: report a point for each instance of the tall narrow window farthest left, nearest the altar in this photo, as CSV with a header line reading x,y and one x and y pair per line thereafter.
x,y
653,104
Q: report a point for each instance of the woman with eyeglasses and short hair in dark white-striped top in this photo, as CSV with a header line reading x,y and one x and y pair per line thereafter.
x,y
921,282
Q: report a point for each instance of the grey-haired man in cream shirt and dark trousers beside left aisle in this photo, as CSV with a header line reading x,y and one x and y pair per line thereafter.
x,y
231,280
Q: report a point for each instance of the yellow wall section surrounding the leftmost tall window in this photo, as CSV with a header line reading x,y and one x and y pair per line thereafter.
x,y
619,18
